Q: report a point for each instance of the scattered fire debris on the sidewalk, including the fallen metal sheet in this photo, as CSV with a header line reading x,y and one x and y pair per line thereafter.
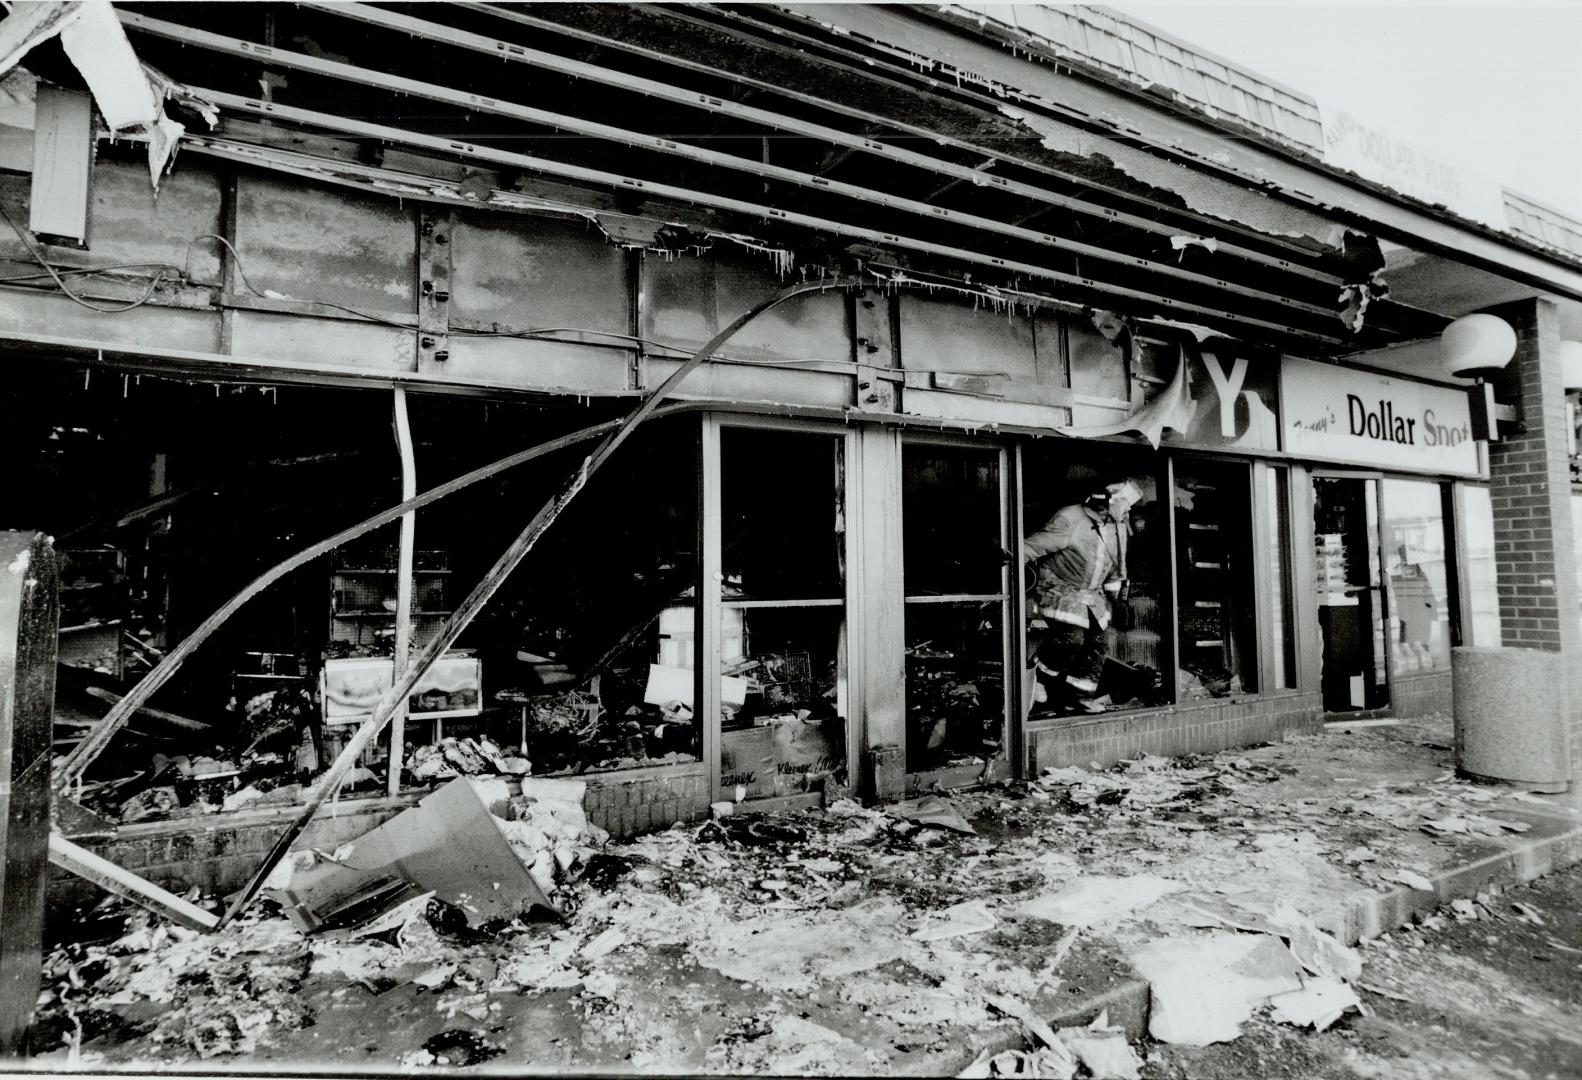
x,y
839,940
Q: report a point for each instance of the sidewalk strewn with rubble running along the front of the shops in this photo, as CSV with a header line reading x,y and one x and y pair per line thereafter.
x,y
858,942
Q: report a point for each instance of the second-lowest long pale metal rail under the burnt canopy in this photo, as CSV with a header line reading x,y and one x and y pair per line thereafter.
x,y
754,167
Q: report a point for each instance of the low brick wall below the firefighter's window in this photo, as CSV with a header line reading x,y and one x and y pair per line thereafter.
x,y
1184,730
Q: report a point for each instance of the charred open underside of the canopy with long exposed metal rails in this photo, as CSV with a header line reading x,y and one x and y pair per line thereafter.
x,y
675,127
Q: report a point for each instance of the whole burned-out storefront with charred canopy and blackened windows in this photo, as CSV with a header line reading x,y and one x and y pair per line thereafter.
x,y
926,415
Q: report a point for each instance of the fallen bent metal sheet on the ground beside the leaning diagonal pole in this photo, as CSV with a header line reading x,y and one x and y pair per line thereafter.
x,y
448,845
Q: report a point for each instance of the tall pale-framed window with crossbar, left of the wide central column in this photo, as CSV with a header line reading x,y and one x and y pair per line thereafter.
x,y
784,621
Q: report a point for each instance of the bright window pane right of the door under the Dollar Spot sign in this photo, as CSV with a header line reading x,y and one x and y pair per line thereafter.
x,y
1415,573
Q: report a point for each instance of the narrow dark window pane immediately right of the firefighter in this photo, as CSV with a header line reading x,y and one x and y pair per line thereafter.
x,y
1214,580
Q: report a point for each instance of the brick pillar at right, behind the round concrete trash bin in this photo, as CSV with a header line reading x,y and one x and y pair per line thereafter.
x,y
1532,507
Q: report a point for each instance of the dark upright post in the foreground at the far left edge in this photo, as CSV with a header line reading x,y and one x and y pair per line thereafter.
x,y
29,619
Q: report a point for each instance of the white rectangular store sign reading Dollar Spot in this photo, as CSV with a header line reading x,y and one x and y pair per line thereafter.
x,y
1361,418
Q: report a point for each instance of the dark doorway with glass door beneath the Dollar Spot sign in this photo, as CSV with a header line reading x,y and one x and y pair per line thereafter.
x,y
1350,586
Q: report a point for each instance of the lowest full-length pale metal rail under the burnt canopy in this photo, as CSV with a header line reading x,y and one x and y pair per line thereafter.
x,y
751,210
